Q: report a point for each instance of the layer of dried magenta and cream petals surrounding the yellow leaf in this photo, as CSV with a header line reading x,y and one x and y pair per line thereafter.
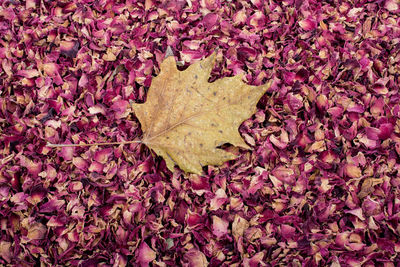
x,y
320,187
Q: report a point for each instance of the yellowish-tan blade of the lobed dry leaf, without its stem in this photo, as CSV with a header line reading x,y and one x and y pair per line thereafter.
x,y
185,118
